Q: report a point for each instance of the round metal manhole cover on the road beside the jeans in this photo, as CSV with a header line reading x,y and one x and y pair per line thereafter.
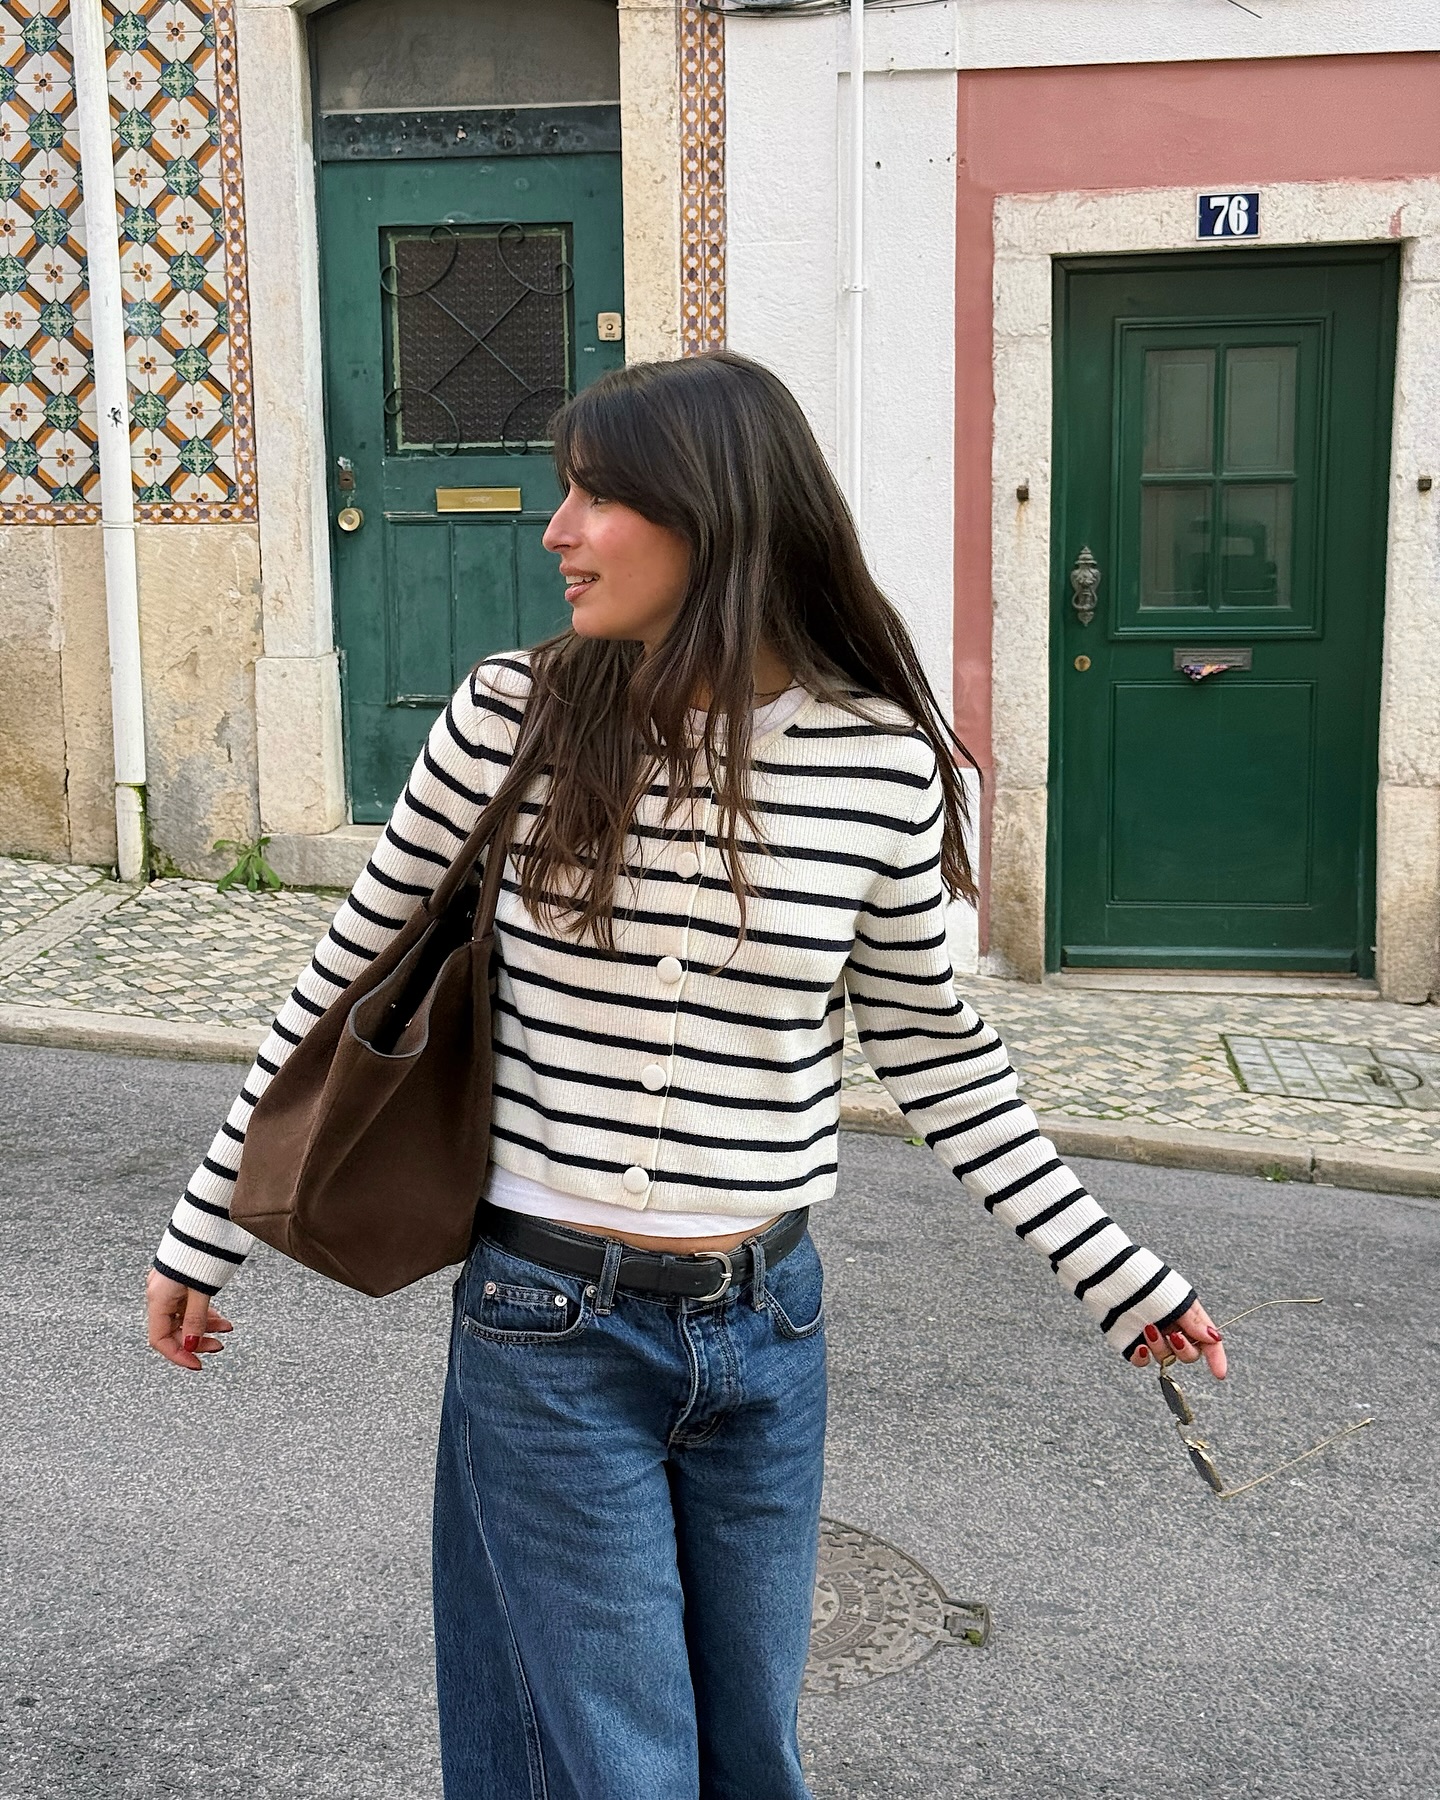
x,y
879,1612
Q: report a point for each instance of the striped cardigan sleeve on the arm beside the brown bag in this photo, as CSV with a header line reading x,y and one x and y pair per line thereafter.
x,y
460,768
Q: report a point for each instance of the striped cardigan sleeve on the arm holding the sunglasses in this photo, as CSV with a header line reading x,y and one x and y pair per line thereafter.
x,y
951,1075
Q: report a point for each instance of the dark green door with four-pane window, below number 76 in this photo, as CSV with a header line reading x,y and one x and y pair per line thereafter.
x,y
1223,435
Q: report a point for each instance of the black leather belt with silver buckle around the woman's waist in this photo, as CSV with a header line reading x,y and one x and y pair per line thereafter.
x,y
708,1275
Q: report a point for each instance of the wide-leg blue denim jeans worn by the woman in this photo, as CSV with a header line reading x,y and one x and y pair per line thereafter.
x,y
627,1515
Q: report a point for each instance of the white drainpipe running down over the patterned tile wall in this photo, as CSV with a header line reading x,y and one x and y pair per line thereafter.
x,y
112,408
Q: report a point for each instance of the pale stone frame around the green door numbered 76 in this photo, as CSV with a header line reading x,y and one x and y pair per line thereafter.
x,y
1030,233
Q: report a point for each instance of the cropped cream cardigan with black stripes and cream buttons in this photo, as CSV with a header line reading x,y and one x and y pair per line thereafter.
x,y
696,1070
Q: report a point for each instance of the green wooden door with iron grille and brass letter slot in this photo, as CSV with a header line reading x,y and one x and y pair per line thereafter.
x,y
462,303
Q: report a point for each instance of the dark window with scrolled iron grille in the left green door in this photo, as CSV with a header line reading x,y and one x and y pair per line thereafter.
x,y
480,336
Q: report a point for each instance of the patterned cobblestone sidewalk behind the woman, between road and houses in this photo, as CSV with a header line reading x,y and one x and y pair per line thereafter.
x,y
181,951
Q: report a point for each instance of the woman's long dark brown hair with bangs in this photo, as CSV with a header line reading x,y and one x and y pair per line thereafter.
x,y
717,451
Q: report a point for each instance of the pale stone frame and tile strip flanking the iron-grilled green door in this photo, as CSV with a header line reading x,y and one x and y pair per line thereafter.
x,y
672,134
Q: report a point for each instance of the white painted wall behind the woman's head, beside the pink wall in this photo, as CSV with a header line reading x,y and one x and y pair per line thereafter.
x,y
786,154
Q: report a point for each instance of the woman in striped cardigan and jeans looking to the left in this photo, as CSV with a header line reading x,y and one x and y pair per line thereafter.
x,y
741,807
